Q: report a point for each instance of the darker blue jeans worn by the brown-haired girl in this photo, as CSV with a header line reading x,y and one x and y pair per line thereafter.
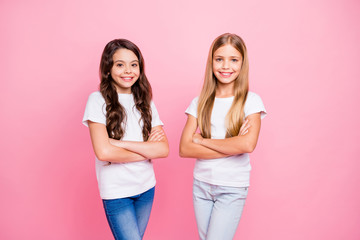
x,y
128,217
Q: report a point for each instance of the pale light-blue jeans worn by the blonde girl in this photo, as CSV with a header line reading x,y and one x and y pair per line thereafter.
x,y
218,209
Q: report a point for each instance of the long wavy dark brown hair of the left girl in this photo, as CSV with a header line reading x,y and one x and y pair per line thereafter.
x,y
141,90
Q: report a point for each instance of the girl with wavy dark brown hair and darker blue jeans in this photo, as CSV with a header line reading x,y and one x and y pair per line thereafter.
x,y
126,132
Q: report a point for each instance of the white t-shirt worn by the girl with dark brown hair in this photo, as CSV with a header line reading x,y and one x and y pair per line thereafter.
x,y
119,180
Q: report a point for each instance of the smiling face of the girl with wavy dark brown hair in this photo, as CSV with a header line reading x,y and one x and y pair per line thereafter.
x,y
125,70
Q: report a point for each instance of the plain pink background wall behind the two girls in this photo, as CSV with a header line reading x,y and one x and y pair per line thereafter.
x,y
304,63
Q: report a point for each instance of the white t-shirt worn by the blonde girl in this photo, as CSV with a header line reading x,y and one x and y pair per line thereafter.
x,y
234,170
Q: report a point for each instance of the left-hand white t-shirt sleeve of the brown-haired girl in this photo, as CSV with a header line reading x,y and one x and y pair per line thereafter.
x,y
95,109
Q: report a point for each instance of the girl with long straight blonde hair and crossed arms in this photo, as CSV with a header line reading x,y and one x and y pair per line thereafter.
x,y
229,118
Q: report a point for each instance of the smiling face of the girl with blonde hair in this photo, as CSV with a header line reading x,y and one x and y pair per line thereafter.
x,y
226,64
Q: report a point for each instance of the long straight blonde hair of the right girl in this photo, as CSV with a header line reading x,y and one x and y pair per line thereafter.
x,y
235,116
